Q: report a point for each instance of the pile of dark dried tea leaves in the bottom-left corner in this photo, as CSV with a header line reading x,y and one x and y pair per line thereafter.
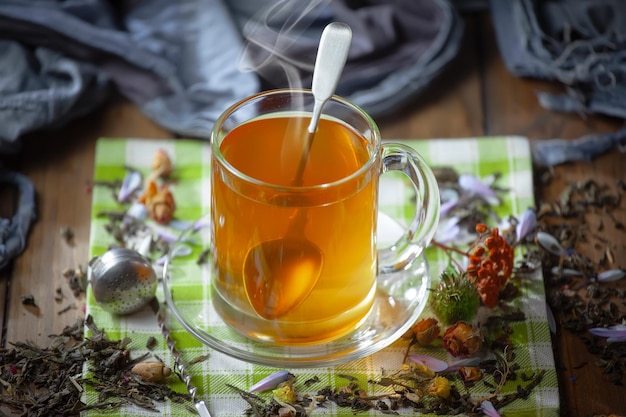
x,y
49,381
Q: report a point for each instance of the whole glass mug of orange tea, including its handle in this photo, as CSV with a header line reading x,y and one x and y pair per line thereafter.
x,y
293,227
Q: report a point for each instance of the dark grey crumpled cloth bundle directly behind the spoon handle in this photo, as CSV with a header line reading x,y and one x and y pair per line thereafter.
x,y
398,46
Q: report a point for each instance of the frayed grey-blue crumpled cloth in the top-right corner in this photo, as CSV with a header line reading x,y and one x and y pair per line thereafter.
x,y
578,43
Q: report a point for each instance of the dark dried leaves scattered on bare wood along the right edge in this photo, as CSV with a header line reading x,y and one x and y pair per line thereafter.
x,y
582,281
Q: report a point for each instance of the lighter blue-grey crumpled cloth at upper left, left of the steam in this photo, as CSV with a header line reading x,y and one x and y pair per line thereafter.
x,y
177,60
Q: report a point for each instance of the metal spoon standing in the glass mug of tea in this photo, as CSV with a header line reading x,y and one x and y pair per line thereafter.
x,y
279,274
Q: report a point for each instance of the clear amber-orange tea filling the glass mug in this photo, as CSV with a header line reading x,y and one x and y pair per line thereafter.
x,y
268,285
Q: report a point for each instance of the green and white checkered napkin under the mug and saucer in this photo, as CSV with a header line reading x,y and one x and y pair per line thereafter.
x,y
509,156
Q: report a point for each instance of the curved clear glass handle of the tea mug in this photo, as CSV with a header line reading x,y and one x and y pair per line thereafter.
x,y
422,228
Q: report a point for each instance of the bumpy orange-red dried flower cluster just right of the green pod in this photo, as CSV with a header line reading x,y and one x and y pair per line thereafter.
x,y
490,266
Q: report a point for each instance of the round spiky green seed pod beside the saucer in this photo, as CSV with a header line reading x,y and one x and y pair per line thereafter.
x,y
455,298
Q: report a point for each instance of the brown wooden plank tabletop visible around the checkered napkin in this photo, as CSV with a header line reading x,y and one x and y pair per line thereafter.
x,y
476,96
